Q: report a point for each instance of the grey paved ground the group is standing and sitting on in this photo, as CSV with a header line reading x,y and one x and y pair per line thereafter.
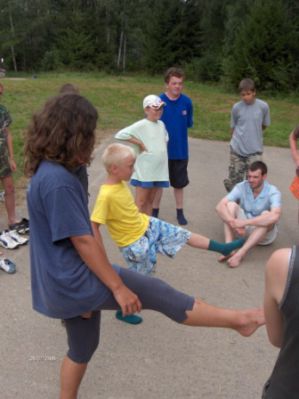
x,y
157,359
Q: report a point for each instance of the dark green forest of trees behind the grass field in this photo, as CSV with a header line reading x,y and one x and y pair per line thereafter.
x,y
213,40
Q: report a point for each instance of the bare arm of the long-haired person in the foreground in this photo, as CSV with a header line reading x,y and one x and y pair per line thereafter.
x,y
96,259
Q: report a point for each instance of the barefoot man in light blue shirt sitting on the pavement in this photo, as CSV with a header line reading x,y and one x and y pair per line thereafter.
x,y
251,209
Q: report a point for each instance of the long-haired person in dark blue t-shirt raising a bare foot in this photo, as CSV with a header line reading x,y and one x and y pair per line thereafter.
x,y
71,276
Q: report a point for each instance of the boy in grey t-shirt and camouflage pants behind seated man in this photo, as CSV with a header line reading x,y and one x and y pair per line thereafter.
x,y
249,117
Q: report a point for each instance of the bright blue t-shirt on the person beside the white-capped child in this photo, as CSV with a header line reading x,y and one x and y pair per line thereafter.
x,y
178,117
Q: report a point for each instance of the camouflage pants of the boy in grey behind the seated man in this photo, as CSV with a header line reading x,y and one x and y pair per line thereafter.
x,y
238,167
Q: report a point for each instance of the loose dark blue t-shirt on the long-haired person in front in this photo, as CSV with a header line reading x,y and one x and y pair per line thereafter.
x,y
62,285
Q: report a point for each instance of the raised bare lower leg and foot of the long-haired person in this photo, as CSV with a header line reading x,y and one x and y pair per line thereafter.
x,y
245,322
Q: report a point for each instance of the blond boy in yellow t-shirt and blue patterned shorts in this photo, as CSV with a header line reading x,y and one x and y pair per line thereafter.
x,y
139,236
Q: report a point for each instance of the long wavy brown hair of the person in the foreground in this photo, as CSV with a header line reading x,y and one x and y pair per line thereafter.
x,y
63,132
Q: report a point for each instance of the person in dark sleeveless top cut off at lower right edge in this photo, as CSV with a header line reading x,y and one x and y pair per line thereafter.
x,y
281,305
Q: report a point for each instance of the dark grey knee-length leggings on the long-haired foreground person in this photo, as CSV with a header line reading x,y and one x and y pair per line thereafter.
x,y
84,334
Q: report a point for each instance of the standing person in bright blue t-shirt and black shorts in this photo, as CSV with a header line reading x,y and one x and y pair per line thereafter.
x,y
178,117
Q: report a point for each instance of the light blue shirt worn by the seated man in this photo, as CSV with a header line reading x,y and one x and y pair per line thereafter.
x,y
268,198
